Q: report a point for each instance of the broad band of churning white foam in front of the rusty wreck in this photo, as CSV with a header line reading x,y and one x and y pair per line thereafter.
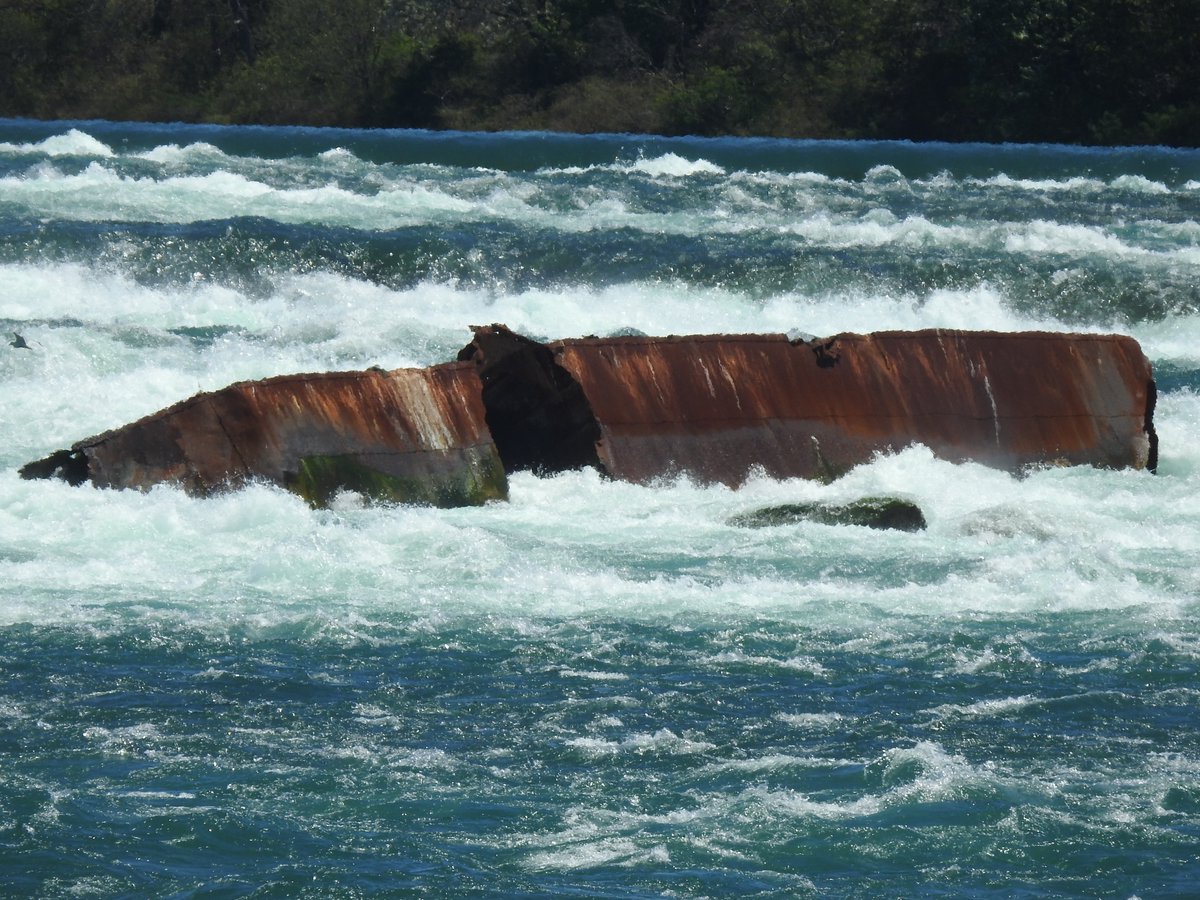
x,y
577,547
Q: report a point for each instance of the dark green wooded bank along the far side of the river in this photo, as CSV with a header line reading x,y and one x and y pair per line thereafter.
x,y
1071,71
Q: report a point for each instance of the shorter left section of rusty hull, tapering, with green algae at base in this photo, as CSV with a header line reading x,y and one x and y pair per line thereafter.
x,y
409,436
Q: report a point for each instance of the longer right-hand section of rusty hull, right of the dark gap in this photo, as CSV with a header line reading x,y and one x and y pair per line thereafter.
x,y
721,407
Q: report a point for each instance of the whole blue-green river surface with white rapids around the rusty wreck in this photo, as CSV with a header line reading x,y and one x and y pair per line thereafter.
x,y
595,689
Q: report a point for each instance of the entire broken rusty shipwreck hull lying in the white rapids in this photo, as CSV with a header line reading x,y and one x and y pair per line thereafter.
x,y
716,409
